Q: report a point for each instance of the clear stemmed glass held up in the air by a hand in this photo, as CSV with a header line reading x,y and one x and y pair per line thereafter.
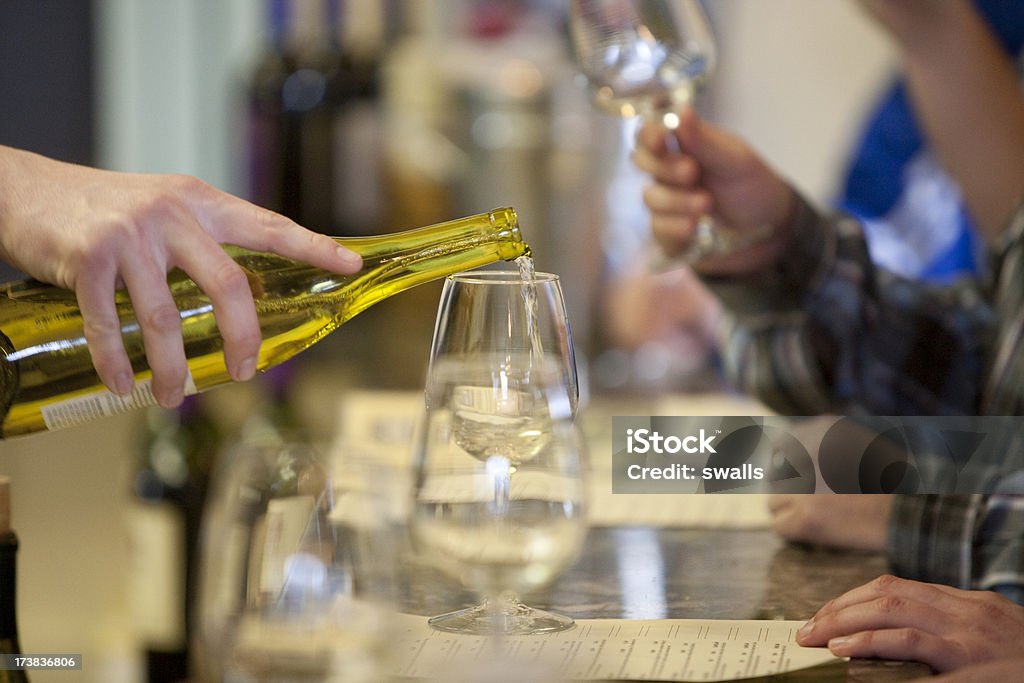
x,y
649,58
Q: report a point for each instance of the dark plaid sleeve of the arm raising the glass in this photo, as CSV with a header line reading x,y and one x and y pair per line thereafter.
x,y
827,331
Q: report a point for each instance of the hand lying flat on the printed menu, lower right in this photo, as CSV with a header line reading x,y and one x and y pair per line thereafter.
x,y
895,619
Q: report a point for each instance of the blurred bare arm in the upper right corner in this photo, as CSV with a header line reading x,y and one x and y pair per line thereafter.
x,y
967,97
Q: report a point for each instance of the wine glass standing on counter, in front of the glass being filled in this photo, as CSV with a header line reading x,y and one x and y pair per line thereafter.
x,y
499,496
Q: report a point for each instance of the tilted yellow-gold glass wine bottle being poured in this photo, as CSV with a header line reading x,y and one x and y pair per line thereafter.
x,y
47,376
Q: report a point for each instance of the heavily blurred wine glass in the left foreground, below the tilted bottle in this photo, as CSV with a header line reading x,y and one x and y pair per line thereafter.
x,y
293,586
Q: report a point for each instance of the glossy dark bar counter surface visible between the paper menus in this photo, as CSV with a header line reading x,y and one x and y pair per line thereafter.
x,y
662,573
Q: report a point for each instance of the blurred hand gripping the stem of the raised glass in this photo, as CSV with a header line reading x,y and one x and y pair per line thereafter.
x,y
716,175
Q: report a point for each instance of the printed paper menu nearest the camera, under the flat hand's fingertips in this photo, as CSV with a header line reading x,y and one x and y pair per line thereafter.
x,y
622,650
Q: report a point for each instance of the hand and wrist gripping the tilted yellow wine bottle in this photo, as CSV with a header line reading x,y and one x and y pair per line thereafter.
x,y
93,231
